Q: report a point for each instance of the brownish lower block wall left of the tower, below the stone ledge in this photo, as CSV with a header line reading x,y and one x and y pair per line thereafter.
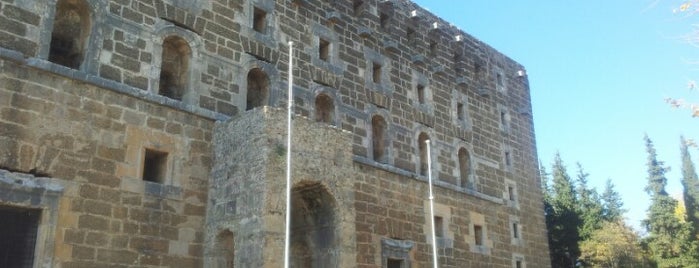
x,y
91,143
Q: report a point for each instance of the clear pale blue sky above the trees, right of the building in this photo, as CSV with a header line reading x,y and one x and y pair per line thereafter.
x,y
598,73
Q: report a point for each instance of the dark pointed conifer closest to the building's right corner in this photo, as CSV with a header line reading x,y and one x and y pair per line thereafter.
x,y
562,220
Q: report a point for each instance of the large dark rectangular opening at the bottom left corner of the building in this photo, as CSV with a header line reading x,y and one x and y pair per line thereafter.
x,y
18,233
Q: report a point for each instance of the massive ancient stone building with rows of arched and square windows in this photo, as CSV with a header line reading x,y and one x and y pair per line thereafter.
x,y
151,133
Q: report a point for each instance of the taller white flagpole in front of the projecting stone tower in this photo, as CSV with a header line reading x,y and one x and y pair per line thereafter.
x,y
287,237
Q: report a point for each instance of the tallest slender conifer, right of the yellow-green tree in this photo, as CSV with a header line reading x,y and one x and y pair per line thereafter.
x,y
667,236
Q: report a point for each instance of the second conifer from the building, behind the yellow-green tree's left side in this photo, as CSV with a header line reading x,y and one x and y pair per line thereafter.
x,y
589,206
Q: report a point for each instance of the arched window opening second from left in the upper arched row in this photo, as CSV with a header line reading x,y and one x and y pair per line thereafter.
x,y
174,69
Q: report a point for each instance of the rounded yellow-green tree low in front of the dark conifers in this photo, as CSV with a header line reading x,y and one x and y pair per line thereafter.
x,y
613,245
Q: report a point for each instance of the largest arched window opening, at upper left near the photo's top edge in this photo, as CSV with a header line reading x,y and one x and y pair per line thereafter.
x,y
71,28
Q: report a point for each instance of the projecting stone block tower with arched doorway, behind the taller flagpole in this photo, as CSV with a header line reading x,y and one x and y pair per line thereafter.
x,y
248,193
